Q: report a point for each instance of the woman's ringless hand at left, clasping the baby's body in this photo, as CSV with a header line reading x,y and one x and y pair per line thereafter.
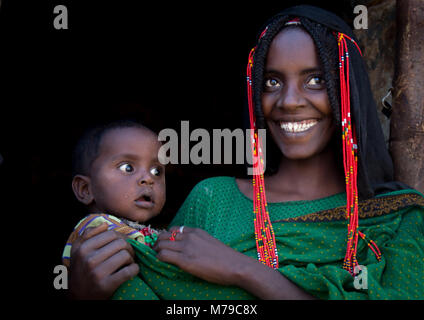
x,y
101,261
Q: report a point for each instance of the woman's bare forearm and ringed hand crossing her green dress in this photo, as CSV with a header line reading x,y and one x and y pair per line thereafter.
x,y
198,253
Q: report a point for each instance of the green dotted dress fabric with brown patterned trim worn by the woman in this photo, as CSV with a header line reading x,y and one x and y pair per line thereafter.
x,y
311,243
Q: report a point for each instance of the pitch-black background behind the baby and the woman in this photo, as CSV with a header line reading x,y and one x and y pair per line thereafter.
x,y
157,62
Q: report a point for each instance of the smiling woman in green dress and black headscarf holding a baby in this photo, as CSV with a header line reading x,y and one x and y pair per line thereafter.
x,y
300,242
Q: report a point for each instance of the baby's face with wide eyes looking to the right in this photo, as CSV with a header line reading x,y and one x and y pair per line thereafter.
x,y
127,178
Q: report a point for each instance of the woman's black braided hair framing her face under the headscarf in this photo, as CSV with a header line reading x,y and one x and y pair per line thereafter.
x,y
326,44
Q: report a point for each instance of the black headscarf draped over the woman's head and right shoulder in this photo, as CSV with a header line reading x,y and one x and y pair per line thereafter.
x,y
375,167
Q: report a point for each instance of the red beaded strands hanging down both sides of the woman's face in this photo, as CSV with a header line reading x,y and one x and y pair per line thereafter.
x,y
264,234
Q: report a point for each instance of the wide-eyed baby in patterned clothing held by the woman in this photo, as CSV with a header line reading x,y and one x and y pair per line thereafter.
x,y
118,176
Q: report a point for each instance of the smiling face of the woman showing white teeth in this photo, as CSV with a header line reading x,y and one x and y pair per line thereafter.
x,y
294,100
